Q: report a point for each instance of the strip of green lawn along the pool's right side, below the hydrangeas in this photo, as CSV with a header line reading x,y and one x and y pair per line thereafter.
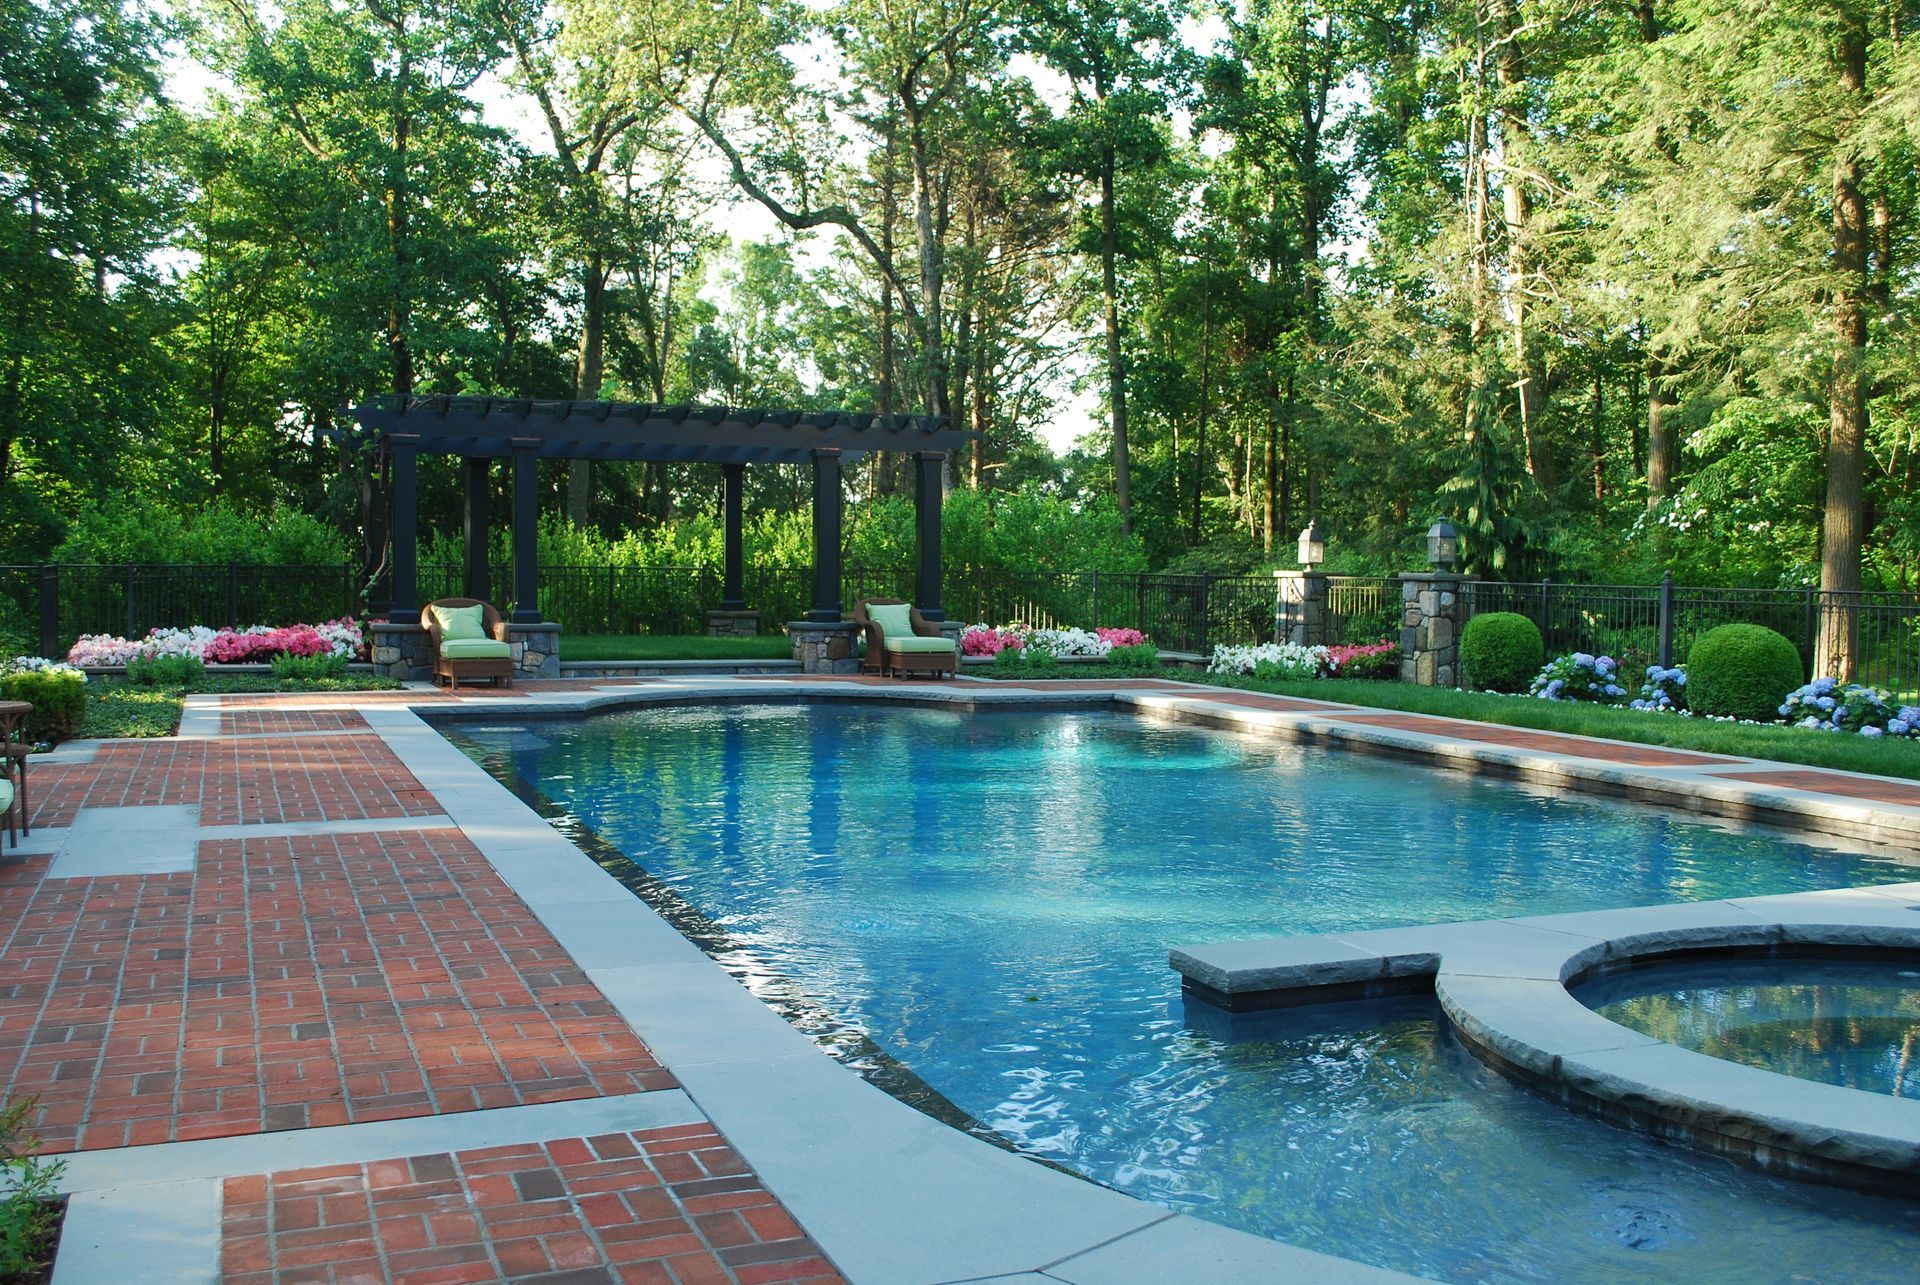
x,y
1827,750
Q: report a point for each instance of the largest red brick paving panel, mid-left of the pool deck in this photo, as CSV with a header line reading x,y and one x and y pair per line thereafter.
x,y
293,984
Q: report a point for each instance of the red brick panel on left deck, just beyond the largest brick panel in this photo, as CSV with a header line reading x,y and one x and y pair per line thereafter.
x,y
237,783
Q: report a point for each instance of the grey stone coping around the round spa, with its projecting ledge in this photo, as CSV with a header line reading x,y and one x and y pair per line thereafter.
x,y
1504,986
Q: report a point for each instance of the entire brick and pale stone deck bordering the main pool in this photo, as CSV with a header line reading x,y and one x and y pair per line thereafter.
x,y
306,990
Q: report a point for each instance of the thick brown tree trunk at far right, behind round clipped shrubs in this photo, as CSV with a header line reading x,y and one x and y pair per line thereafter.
x,y
1842,525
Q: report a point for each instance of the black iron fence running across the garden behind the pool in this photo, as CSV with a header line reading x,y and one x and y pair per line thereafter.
x,y
1641,625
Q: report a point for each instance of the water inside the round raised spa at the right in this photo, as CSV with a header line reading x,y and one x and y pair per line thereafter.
x,y
1840,1021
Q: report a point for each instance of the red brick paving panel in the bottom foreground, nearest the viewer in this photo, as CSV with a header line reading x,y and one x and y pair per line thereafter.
x,y
656,1207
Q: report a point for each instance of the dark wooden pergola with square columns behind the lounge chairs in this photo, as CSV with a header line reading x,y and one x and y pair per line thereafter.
x,y
487,429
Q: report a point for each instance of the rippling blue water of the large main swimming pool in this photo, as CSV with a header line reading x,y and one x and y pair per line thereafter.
x,y
990,900
